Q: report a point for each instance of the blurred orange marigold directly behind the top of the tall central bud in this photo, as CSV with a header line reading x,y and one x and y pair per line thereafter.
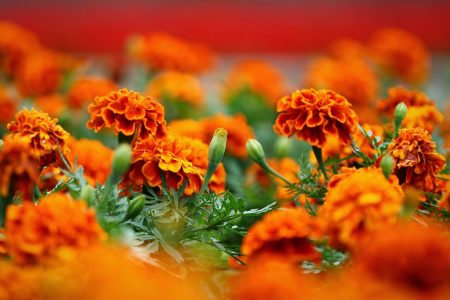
x,y
239,132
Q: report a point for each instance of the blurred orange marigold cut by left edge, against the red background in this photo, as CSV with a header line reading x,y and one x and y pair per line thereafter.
x,y
15,43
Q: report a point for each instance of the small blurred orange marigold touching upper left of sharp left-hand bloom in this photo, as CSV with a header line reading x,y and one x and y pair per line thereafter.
x,y
85,89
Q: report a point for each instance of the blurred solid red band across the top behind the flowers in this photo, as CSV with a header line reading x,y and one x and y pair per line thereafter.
x,y
227,26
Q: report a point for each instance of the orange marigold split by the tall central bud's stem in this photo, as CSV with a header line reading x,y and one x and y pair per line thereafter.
x,y
199,158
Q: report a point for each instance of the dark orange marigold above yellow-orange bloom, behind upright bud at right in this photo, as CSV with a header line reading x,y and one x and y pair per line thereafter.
x,y
411,98
